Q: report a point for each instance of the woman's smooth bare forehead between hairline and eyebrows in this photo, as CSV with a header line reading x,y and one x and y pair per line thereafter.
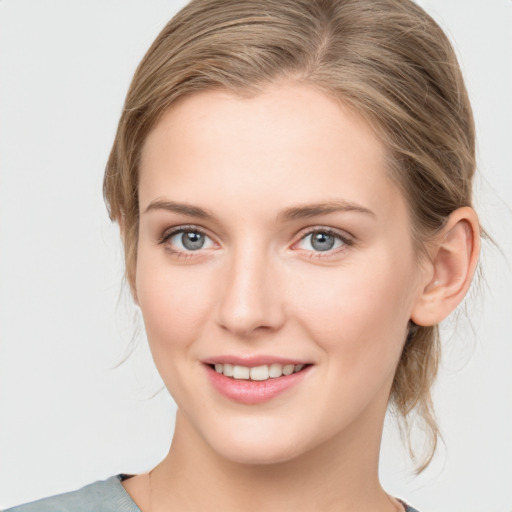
x,y
288,143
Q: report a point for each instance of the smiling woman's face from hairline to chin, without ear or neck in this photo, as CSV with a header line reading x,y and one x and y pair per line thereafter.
x,y
272,240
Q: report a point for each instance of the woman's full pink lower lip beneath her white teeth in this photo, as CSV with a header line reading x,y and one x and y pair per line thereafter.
x,y
253,392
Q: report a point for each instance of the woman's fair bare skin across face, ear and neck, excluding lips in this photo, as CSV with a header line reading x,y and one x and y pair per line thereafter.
x,y
259,286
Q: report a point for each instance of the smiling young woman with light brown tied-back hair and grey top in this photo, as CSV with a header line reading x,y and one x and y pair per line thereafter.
x,y
292,180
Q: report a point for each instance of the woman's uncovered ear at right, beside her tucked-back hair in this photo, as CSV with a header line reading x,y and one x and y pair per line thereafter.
x,y
453,256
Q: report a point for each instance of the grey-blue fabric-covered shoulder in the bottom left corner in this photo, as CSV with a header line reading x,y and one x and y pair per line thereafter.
x,y
102,496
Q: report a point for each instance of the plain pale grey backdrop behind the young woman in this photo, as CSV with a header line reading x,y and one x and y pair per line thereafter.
x,y
68,415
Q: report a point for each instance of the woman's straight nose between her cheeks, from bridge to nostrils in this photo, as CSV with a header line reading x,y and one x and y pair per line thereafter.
x,y
251,298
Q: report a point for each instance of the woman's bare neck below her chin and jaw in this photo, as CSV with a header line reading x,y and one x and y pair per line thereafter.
x,y
340,474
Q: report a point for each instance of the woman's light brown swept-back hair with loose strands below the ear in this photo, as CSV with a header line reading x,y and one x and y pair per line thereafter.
x,y
388,60
